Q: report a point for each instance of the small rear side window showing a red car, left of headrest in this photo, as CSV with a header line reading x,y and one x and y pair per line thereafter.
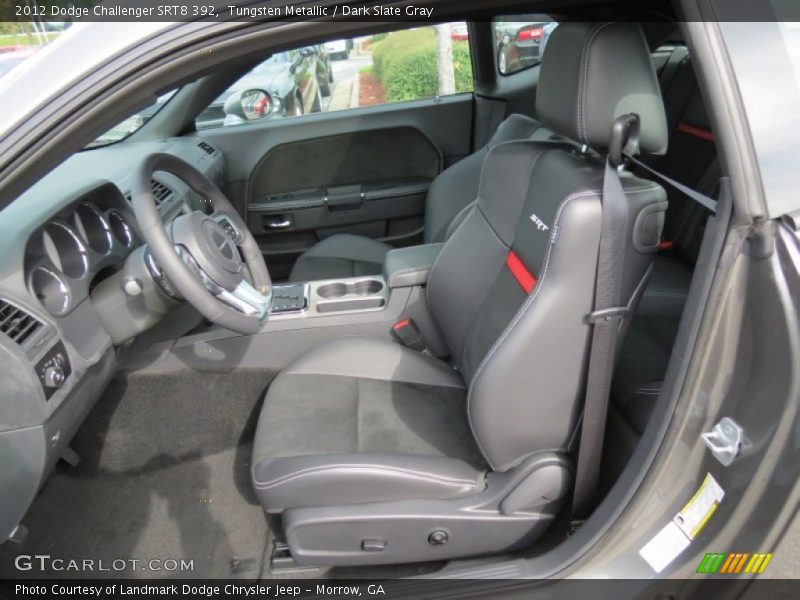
x,y
520,41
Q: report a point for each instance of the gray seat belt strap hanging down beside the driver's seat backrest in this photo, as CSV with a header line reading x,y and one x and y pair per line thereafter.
x,y
606,318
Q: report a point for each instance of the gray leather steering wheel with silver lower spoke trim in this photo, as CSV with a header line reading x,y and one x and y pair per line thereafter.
x,y
212,260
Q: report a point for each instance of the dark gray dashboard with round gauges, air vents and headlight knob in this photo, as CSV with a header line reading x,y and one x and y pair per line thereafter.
x,y
62,241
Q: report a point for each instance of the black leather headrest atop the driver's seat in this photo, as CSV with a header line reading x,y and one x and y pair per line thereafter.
x,y
592,73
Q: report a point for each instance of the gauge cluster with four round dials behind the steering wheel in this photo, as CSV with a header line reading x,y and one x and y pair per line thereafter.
x,y
67,255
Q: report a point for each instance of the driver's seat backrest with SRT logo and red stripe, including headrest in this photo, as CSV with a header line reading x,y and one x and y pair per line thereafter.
x,y
512,287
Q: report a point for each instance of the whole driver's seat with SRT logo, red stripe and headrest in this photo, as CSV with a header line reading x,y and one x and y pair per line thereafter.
x,y
375,453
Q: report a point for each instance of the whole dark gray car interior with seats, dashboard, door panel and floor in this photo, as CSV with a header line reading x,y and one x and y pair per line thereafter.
x,y
352,343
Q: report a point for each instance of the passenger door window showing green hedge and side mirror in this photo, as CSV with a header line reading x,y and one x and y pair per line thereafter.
x,y
410,64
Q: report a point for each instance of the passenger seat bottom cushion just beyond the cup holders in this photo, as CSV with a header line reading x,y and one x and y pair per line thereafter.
x,y
338,256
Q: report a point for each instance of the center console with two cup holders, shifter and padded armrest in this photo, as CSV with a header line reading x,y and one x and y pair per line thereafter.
x,y
308,314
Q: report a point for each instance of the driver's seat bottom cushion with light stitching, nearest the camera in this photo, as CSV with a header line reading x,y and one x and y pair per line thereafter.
x,y
353,433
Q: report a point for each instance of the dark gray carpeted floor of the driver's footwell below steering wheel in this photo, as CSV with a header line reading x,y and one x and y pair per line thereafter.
x,y
164,477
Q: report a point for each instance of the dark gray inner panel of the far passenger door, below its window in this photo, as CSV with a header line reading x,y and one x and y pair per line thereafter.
x,y
363,171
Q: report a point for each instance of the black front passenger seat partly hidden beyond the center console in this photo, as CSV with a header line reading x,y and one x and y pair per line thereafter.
x,y
453,191
